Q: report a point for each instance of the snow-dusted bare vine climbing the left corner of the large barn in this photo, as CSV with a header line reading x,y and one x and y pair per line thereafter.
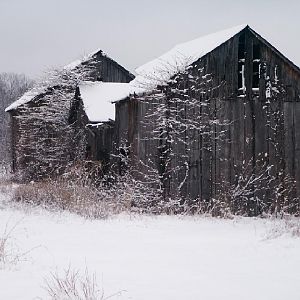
x,y
179,117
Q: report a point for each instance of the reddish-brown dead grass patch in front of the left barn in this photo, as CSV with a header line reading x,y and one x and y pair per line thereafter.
x,y
85,200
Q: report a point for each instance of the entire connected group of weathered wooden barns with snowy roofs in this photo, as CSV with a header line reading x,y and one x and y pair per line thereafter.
x,y
215,120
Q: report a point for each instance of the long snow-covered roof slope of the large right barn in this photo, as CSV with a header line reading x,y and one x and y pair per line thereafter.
x,y
161,69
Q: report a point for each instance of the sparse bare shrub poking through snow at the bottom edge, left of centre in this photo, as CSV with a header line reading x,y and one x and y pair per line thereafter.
x,y
74,286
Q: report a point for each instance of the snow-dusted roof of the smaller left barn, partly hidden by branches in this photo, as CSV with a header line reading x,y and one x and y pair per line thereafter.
x,y
36,91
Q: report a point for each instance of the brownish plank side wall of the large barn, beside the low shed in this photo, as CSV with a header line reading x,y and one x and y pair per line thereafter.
x,y
134,133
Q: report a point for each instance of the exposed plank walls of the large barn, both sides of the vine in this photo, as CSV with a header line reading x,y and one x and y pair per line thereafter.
x,y
261,132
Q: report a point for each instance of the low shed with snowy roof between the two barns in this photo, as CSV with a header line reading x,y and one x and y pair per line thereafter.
x,y
93,114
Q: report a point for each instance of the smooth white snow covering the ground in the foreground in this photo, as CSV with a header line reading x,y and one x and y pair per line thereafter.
x,y
146,257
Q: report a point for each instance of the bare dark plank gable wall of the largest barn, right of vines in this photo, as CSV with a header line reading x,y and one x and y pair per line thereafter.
x,y
262,131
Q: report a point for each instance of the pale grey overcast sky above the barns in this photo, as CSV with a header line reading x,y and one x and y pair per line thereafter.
x,y
40,34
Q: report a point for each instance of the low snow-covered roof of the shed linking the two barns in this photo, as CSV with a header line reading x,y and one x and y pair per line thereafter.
x,y
98,96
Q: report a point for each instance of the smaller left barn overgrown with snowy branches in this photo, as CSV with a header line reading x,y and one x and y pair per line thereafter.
x,y
41,120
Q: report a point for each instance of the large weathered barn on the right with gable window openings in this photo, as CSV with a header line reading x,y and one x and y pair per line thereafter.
x,y
228,127
